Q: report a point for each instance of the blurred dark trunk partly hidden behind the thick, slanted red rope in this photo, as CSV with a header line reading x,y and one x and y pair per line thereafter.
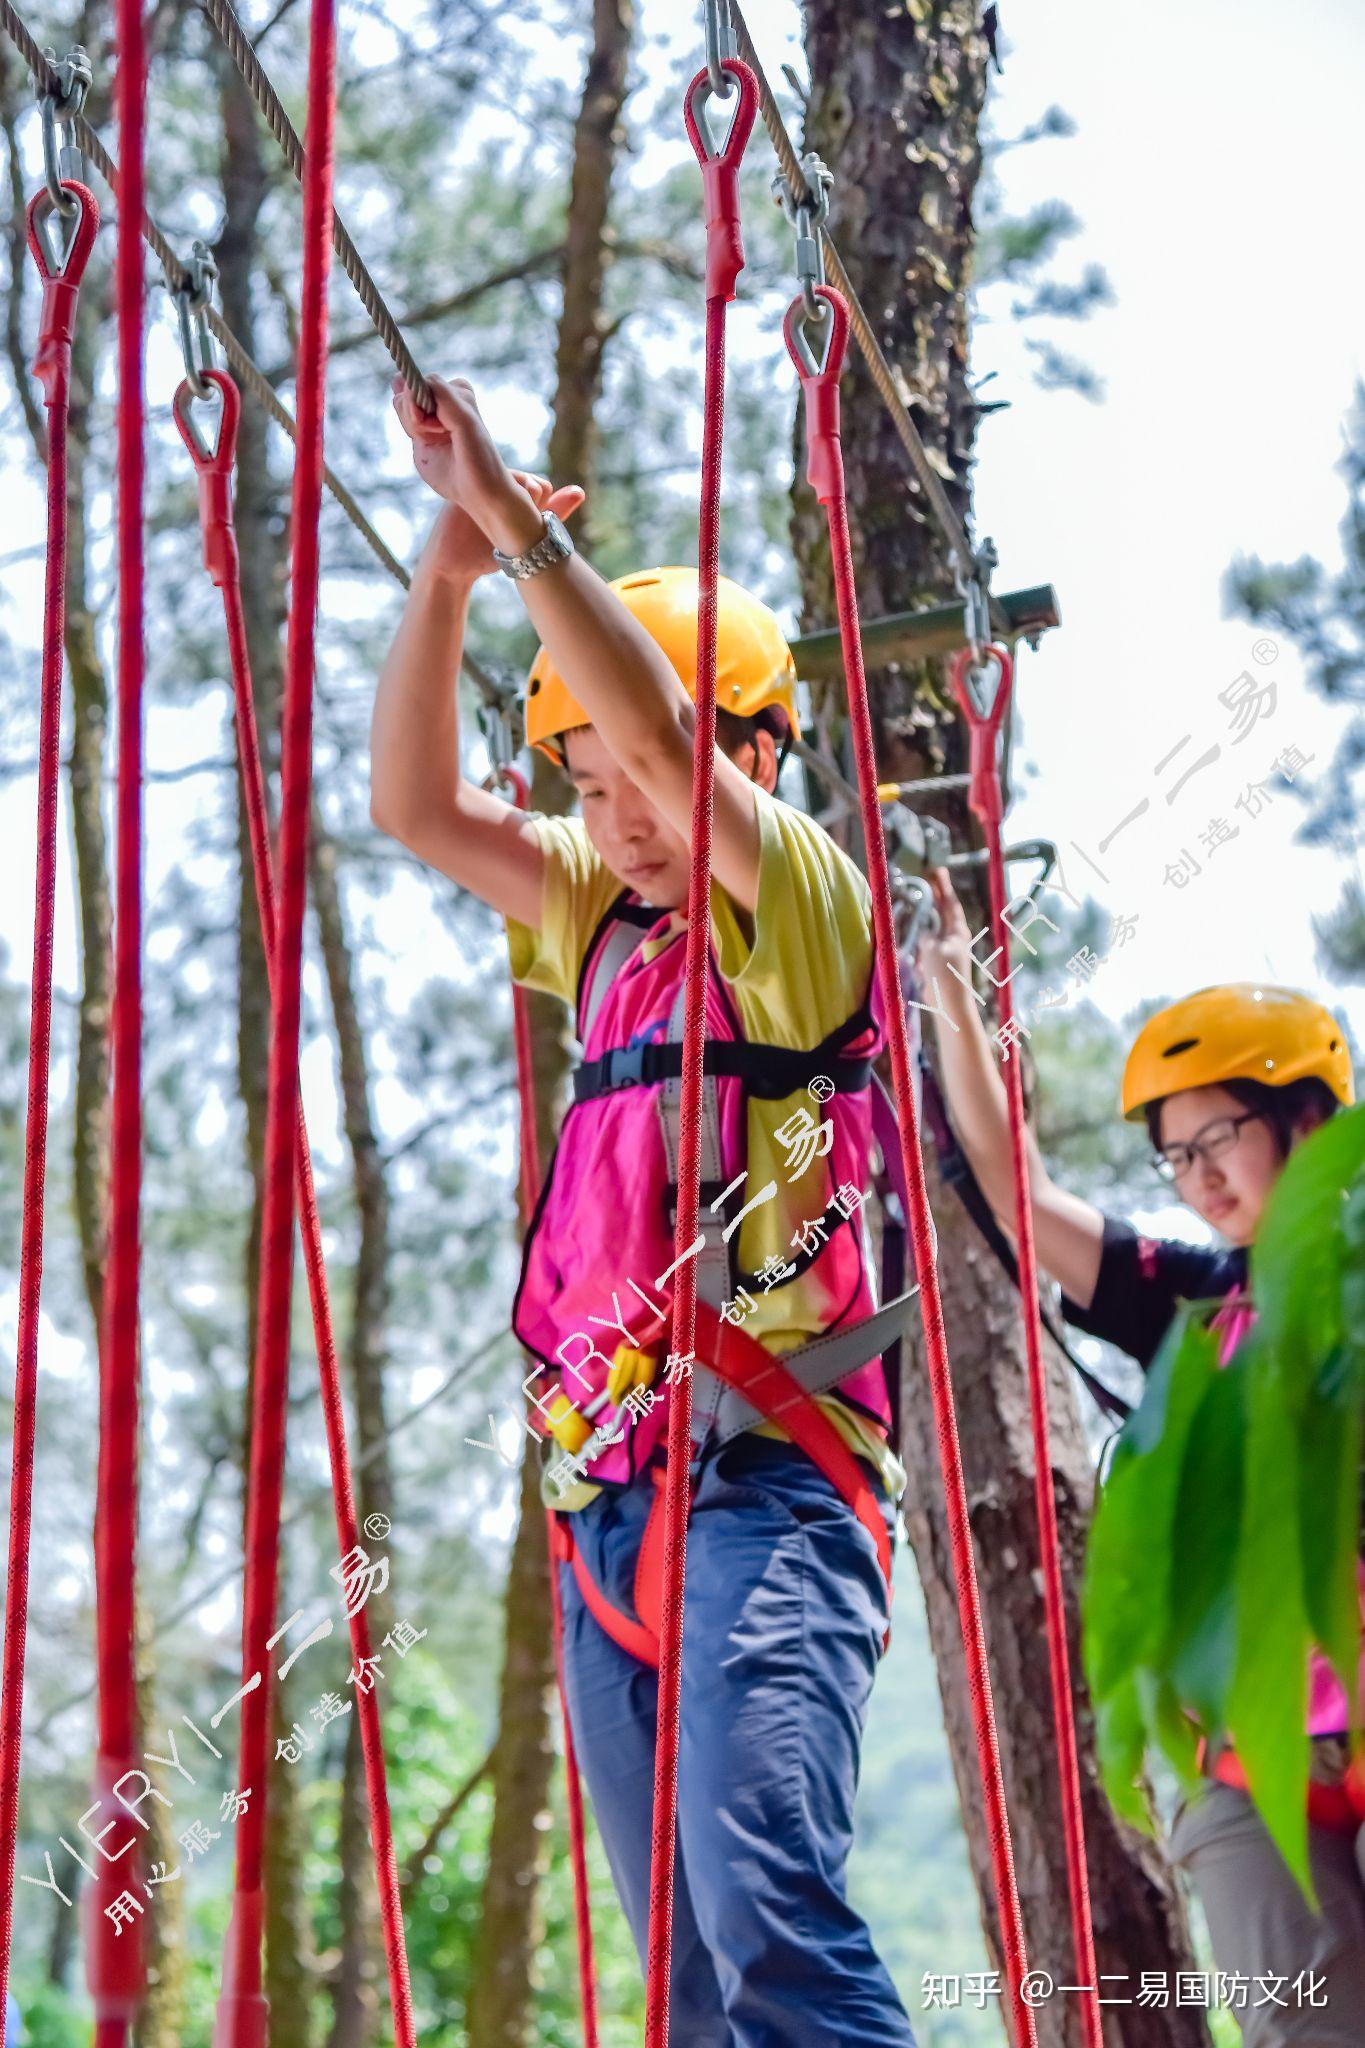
x,y
290,1971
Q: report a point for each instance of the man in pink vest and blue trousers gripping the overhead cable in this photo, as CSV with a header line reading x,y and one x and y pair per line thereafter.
x,y
787,1605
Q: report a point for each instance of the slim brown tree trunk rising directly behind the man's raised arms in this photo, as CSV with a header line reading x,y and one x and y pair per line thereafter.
x,y
502,1990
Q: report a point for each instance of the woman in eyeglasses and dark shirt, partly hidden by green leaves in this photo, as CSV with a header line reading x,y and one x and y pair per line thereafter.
x,y
1229,1082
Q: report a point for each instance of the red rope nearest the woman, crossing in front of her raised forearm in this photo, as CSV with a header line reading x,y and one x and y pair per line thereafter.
x,y
985,800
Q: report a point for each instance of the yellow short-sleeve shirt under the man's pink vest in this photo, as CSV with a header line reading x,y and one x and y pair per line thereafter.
x,y
797,972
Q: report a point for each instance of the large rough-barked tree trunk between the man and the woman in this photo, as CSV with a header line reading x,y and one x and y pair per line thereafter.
x,y
895,108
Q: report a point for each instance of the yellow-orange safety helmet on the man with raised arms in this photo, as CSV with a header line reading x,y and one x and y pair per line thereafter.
x,y
754,663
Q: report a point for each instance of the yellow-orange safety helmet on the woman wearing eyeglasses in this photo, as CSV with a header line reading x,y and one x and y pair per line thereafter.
x,y
1243,1031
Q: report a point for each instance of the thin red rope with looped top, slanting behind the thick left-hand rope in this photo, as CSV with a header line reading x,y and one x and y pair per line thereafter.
x,y
214,466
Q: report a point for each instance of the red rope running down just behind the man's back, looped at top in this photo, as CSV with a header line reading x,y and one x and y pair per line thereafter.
x,y
826,474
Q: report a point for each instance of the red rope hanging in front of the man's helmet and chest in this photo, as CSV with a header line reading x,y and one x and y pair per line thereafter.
x,y
723,263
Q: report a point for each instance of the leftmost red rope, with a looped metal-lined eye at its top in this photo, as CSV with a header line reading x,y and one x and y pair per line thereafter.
x,y
52,366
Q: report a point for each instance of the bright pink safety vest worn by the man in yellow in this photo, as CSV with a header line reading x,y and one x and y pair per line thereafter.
x,y
601,1246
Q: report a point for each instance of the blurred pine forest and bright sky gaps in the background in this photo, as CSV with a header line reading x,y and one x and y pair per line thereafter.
x,y
521,183
